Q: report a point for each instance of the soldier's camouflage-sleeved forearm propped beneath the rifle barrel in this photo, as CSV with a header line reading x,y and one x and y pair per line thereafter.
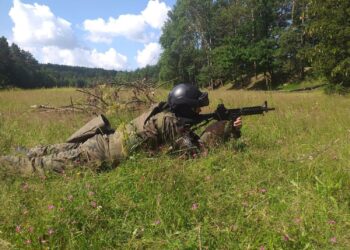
x,y
218,132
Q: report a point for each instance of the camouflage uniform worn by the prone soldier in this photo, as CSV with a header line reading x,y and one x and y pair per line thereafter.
x,y
110,149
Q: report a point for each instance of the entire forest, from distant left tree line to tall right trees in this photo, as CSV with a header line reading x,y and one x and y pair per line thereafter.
x,y
209,43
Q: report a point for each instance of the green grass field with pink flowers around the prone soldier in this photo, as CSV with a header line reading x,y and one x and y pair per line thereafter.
x,y
284,185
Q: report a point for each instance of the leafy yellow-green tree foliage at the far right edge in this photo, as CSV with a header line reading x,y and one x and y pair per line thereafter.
x,y
330,26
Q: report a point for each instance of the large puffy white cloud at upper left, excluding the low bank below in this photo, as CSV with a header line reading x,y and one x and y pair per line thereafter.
x,y
35,25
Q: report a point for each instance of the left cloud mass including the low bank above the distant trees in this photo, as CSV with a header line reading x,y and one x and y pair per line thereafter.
x,y
51,39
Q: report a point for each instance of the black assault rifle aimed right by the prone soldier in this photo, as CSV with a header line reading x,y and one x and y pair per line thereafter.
x,y
222,113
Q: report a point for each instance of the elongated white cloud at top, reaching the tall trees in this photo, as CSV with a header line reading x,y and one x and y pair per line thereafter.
x,y
132,27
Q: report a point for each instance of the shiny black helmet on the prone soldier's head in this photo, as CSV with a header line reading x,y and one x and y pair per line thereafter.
x,y
187,95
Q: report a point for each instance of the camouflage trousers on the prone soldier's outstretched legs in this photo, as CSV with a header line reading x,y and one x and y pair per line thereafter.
x,y
92,154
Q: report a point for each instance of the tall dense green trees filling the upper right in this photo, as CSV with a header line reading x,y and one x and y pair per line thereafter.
x,y
208,41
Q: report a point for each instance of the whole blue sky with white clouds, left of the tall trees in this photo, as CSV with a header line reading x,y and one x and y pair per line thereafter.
x,y
110,34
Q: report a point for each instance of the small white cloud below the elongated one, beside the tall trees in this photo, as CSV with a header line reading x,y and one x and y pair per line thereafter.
x,y
149,55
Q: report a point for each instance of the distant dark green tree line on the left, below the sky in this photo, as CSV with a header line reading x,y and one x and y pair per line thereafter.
x,y
18,68
